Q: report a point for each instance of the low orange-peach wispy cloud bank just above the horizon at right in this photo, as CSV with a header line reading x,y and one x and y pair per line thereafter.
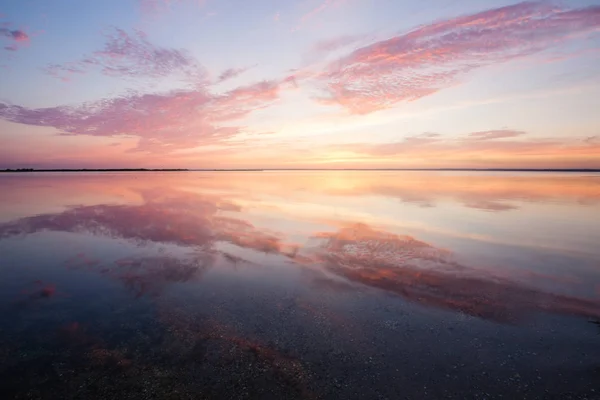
x,y
488,149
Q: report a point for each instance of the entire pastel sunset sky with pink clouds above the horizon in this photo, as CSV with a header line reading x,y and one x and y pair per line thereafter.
x,y
299,84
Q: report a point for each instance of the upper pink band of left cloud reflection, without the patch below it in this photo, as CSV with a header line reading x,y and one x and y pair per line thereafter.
x,y
180,218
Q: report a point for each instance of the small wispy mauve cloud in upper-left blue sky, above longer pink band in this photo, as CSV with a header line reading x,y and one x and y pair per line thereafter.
x,y
134,56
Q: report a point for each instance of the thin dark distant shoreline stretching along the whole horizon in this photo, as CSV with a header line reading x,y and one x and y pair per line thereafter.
x,y
23,170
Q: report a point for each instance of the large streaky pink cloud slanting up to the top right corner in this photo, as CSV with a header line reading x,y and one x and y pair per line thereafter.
x,y
432,57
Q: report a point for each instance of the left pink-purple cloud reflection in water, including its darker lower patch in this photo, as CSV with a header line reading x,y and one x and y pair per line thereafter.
x,y
166,217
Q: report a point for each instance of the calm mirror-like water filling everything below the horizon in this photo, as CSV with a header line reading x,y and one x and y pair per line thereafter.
x,y
283,285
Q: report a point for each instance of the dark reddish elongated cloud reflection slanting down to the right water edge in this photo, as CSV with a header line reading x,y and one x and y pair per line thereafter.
x,y
427,275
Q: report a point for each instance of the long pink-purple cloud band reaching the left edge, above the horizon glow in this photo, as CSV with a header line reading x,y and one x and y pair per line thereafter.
x,y
162,122
